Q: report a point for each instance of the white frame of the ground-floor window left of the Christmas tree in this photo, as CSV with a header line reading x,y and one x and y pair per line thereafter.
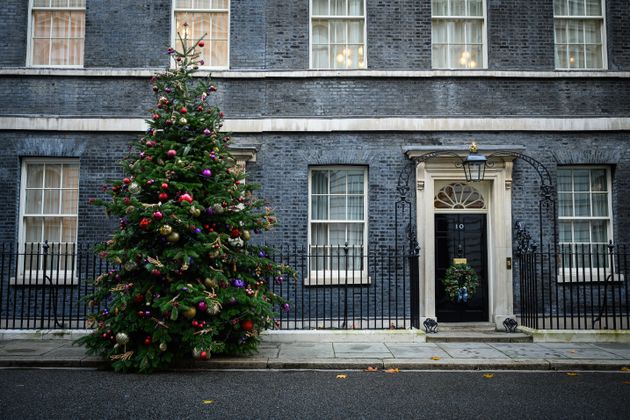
x,y
35,276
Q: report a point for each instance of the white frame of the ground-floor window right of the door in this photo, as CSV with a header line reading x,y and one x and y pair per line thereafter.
x,y
587,274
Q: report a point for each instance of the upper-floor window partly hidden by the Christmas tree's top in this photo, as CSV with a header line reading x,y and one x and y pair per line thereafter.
x,y
209,19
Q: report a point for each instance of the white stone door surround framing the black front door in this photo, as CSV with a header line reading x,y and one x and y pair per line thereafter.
x,y
498,178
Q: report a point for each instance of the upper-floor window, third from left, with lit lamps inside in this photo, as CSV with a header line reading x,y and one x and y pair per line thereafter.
x,y
338,34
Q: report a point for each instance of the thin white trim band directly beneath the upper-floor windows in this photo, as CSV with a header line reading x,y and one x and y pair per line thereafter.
x,y
306,74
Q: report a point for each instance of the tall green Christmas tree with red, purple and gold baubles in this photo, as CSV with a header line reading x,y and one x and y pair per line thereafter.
x,y
188,281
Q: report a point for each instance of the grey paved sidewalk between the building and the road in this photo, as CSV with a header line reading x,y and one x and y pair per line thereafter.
x,y
343,354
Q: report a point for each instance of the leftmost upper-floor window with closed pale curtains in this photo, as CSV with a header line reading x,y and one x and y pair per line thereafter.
x,y
57,33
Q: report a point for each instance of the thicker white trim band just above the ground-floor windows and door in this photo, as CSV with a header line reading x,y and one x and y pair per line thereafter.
x,y
56,123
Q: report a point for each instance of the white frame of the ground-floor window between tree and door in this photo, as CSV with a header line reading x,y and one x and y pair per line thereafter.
x,y
340,277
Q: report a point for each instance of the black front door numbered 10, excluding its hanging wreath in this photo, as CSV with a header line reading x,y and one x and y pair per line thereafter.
x,y
461,236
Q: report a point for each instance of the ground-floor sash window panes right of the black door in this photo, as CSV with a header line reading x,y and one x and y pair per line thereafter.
x,y
584,210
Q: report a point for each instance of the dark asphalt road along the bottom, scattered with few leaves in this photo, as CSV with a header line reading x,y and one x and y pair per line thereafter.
x,y
90,394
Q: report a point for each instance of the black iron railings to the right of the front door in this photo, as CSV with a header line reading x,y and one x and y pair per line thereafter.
x,y
576,287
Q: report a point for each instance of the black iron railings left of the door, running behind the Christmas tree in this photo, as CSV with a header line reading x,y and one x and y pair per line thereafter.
x,y
343,287
